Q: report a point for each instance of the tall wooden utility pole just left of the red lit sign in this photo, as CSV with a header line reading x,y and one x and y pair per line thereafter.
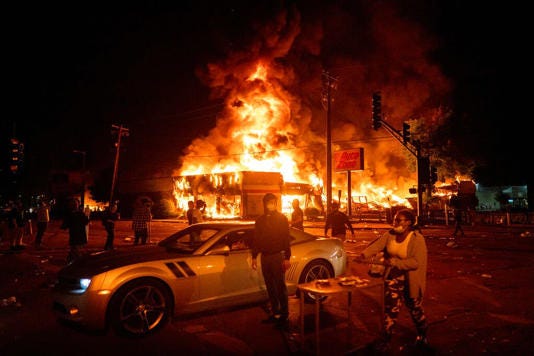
x,y
329,83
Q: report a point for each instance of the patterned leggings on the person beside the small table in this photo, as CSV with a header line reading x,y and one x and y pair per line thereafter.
x,y
396,290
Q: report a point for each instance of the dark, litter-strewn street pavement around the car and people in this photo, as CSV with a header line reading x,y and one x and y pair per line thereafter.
x,y
480,300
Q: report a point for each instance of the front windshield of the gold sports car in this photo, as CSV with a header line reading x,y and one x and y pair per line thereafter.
x,y
189,239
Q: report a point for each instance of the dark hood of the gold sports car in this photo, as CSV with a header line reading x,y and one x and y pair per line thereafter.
x,y
100,262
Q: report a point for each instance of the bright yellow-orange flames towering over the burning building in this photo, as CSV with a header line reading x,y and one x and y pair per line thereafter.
x,y
260,132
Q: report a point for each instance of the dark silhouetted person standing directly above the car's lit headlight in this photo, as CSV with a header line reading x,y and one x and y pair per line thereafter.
x,y
75,221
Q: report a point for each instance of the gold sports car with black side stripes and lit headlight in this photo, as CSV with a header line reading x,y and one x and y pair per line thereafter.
x,y
205,266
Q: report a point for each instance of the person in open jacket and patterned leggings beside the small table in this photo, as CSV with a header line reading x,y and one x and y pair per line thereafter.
x,y
405,255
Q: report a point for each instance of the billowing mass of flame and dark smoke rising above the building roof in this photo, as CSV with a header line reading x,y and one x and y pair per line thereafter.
x,y
274,92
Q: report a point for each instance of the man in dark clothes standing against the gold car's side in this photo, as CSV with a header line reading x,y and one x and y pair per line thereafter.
x,y
271,239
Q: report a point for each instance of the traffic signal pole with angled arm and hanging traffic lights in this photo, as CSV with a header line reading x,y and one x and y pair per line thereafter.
x,y
414,147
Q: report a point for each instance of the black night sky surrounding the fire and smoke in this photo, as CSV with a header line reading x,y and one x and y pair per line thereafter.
x,y
75,71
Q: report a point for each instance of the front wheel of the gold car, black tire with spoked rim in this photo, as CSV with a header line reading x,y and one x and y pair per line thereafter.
x,y
140,308
